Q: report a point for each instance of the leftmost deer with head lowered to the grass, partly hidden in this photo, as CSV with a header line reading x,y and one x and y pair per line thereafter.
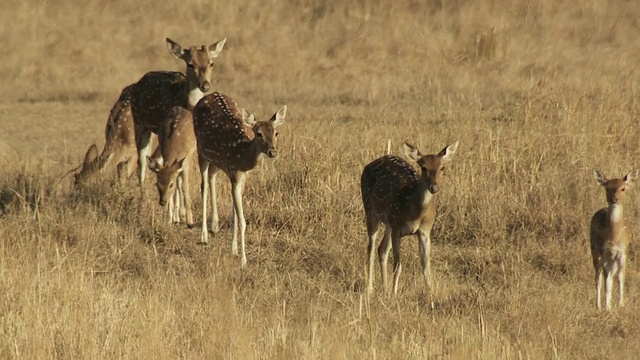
x,y
120,144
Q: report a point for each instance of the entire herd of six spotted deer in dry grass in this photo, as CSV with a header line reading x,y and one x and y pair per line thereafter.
x,y
188,119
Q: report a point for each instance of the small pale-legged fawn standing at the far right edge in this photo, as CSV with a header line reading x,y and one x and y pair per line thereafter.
x,y
610,237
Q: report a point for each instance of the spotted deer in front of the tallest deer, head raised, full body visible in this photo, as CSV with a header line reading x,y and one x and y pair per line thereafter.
x,y
230,141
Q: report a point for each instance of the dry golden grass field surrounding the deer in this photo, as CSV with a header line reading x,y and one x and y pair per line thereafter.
x,y
539,93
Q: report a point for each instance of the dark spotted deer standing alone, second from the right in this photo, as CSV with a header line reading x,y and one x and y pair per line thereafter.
x,y
395,194
